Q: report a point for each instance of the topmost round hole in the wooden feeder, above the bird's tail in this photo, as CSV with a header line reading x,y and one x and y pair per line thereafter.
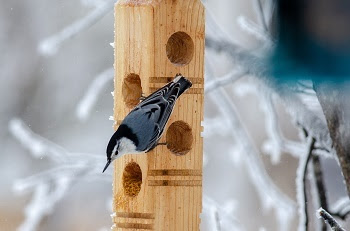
x,y
179,48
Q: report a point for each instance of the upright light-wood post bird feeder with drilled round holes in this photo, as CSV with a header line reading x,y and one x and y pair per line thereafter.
x,y
155,40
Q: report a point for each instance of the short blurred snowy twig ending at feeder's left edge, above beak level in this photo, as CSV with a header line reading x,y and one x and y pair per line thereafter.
x,y
86,104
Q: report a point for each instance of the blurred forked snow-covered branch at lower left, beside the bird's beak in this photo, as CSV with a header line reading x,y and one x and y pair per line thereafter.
x,y
50,186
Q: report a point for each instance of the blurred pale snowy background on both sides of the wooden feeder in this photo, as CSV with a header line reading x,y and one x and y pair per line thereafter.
x,y
56,83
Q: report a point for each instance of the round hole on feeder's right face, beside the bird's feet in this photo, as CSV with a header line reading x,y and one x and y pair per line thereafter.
x,y
179,138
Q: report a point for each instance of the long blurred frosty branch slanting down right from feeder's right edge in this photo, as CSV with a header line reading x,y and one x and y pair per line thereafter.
x,y
269,193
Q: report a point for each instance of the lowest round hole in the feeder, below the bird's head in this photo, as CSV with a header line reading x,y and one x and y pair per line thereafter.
x,y
132,179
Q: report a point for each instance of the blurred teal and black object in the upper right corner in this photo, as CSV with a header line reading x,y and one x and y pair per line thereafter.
x,y
313,40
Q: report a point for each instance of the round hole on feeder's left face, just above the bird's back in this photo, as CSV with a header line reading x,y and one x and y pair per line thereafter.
x,y
132,90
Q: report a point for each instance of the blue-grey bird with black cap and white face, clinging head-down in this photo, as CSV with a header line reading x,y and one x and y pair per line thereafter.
x,y
142,128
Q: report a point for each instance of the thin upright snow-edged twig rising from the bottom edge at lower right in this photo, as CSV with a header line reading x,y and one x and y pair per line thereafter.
x,y
301,185
